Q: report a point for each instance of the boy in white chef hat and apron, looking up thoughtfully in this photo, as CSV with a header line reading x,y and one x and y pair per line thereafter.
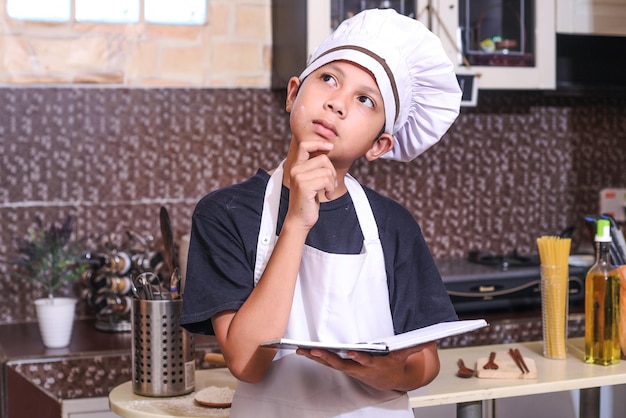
x,y
306,252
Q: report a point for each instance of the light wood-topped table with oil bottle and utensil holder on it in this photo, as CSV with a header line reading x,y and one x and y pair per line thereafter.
x,y
552,376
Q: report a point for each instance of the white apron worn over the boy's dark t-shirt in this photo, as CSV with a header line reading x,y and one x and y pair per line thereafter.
x,y
338,297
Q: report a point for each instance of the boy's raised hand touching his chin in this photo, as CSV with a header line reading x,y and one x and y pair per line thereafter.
x,y
312,173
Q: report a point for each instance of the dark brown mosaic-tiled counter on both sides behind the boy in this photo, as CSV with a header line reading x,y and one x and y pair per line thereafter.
x,y
96,361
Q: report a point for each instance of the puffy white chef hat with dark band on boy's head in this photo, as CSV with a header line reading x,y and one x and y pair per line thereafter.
x,y
416,79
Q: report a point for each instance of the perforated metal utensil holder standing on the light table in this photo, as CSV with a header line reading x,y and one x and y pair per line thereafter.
x,y
163,362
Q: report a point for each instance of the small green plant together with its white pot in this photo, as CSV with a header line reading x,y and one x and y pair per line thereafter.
x,y
49,259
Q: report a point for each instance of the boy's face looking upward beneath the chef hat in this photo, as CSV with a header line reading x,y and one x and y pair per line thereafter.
x,y
341,103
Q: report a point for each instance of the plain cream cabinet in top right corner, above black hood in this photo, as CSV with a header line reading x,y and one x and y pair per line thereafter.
x,y
598,17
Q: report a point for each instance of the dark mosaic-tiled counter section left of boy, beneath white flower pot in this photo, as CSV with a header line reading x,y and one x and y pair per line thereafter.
x,y
93,364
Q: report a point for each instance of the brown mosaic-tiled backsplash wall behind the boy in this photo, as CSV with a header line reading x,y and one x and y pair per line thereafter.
x,y
520,165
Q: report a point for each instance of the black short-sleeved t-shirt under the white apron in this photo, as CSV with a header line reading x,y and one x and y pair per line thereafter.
x,y
222,254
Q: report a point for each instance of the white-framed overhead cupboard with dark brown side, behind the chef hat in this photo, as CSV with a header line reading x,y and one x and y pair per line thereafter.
x,y
508,44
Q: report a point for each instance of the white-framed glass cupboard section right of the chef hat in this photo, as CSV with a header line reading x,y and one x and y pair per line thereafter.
x,y
507,44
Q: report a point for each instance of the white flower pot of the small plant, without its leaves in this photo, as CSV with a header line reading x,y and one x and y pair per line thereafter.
x,y
56,320
